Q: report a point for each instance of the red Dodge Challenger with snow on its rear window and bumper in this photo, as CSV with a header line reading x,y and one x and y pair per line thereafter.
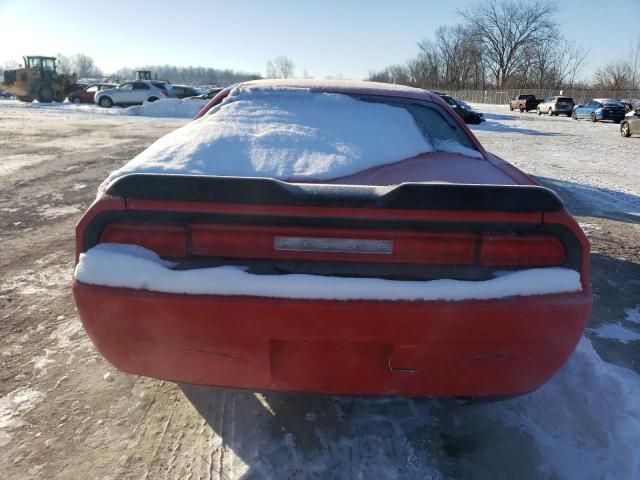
x,y
338,237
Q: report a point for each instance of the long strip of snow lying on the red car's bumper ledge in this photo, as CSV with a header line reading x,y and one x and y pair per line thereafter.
x,y
131,266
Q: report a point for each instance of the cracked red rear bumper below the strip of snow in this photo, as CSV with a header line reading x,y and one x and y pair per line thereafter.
x,y
466,348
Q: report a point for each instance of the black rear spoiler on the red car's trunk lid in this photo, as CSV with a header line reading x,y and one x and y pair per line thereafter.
x,y
412,196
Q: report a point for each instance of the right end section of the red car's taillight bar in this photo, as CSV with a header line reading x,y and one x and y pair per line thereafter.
x,y
512,251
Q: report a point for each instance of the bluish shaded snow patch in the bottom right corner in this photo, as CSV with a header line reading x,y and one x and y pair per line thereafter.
x,y
586,421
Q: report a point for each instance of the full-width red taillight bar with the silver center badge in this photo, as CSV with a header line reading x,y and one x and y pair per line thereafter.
x,y
287,243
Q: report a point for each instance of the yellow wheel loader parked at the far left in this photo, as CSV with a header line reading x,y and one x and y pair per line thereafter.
x,y
39,80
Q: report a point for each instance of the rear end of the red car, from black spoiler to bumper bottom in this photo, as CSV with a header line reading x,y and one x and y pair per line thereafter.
x,y
363,343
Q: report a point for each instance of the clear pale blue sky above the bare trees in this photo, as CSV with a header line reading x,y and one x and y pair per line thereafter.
x,y
324,38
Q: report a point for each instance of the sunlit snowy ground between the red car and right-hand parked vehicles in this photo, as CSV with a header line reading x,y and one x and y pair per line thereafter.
x,y
589,160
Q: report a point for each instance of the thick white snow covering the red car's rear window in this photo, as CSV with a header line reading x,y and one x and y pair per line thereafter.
x,y
287,133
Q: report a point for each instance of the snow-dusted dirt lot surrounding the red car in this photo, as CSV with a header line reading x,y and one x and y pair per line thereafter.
x,y
66,413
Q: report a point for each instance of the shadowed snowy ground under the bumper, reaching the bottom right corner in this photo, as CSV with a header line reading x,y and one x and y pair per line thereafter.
x,y
584,424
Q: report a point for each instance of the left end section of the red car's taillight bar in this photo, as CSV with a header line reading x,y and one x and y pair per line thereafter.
x,y
166,241
